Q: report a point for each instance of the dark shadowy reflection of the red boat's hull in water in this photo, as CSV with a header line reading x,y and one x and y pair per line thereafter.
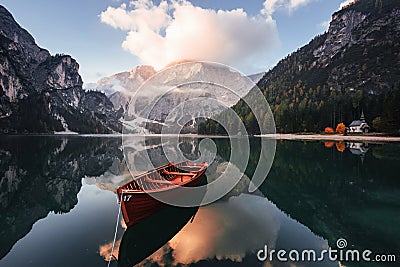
x,y
147,236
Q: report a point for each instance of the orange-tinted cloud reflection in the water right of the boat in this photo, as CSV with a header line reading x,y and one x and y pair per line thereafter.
x,y
218,232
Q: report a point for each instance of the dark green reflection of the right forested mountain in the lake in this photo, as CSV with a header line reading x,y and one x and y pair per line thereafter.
x,y
337,196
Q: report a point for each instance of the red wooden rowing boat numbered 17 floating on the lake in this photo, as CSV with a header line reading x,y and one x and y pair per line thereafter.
x,y
136,198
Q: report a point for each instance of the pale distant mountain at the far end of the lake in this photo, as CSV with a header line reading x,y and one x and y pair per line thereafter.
x,y
122,87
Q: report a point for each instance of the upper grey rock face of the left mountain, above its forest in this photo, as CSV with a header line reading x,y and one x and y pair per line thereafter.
x,y
25,67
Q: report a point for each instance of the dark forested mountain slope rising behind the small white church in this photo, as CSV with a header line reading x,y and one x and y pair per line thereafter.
x,y
353,67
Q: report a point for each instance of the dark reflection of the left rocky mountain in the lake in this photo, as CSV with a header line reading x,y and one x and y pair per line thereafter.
x,y
42,175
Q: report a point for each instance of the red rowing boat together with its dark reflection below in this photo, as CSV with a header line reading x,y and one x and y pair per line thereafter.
x,y
151,223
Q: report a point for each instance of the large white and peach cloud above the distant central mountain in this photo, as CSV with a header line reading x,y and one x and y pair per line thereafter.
x,y
176,30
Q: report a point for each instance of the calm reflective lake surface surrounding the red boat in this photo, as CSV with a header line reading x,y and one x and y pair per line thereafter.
x,y
59,206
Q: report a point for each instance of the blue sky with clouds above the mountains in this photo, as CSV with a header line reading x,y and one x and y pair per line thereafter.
x,y
112,36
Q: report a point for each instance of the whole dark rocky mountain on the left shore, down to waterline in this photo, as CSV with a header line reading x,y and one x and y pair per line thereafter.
x,y
41,93
